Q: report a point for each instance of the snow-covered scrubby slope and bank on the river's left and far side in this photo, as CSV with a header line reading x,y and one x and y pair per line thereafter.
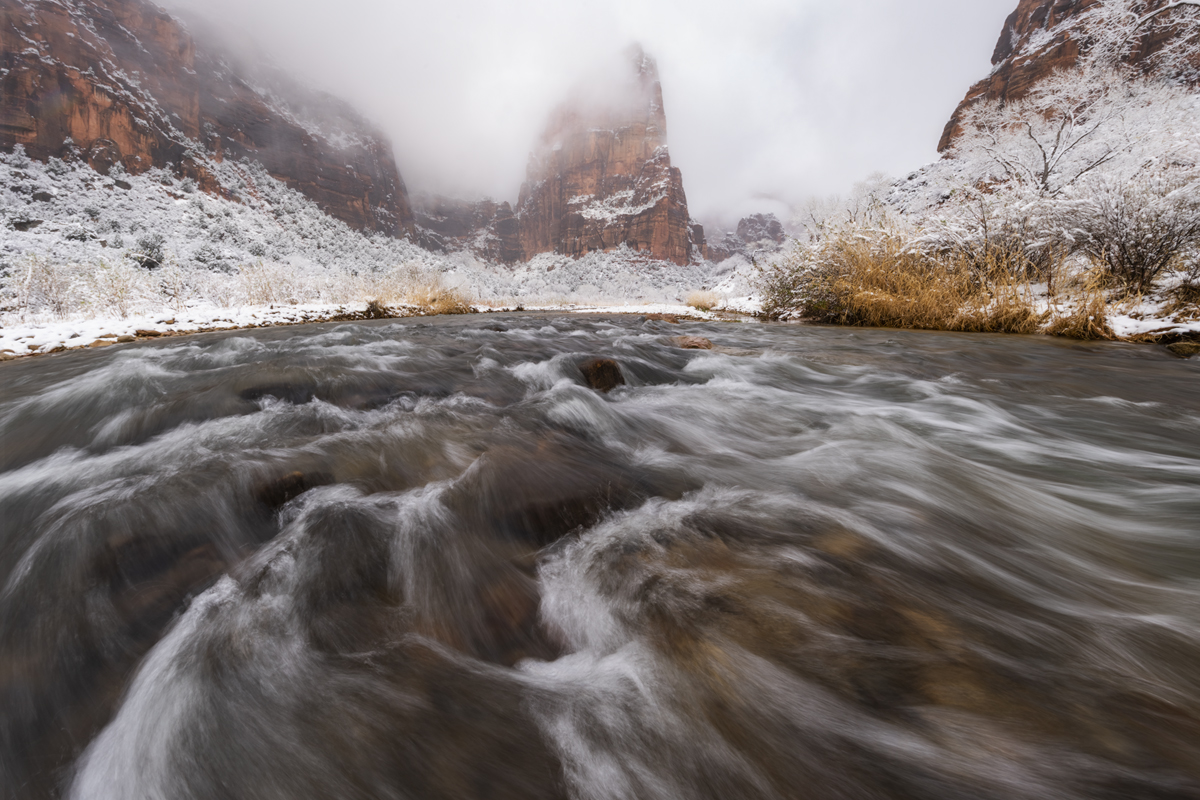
x,y
271,257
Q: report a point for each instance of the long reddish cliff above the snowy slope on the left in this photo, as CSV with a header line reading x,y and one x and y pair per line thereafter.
x,y
122,81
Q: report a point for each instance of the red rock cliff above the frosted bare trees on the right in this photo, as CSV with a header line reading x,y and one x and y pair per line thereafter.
x,y
1040,38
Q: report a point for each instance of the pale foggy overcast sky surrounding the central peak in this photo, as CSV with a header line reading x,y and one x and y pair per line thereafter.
x,y
769,103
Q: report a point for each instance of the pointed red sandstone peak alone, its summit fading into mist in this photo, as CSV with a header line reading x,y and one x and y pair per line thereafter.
x,y
602,177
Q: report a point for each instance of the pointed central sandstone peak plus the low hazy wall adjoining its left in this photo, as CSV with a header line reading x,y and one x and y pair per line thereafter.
x,y
601,178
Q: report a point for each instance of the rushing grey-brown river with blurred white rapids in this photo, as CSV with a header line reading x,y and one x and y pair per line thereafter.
x,y
425,561
